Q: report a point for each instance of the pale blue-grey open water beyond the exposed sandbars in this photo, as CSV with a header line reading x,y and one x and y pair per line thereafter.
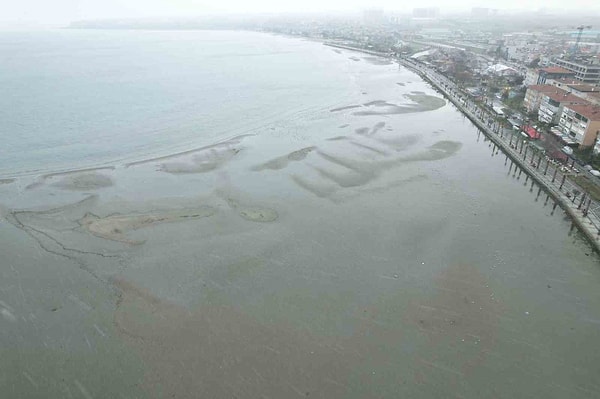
x,y
81,98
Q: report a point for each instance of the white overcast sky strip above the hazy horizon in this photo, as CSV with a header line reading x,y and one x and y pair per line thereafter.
x,y
48,12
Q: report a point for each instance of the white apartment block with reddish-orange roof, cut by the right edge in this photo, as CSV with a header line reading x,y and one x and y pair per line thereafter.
x,y
582,123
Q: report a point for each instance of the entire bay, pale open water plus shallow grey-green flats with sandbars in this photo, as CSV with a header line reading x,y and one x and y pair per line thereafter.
x,y
350,235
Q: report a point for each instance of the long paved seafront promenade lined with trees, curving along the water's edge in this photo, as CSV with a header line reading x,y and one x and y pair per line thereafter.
x,y
550,176
